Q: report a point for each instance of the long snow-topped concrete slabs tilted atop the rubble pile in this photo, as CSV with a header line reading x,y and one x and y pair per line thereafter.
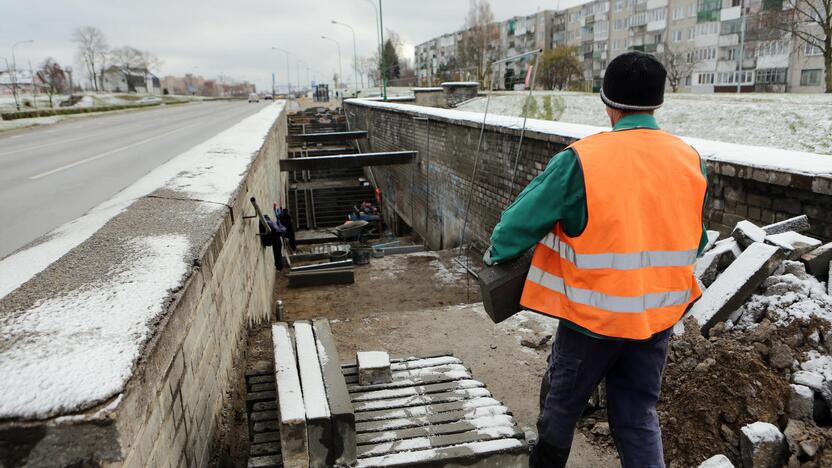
x,y
731,270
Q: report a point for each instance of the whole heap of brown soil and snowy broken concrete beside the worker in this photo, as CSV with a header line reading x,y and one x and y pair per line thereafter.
x,y
748,380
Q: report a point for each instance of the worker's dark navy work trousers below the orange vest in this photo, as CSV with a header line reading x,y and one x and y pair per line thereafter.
x,y
633,372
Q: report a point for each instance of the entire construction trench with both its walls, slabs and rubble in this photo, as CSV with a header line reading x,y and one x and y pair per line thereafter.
x,y
748,380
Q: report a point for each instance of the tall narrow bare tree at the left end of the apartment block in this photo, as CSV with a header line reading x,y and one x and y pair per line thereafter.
x,y
480,30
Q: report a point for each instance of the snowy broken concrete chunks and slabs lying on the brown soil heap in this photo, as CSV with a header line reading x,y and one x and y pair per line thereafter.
x,y
763,290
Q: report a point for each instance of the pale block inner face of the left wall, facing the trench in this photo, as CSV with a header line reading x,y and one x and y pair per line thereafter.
x,y
173,408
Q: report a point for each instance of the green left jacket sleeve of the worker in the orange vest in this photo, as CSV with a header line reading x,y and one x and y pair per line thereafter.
x,y
556,194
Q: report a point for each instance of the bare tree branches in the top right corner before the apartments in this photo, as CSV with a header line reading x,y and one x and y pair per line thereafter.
x,y
810,21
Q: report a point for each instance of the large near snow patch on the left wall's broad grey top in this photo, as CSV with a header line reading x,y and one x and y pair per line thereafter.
x,y
78,349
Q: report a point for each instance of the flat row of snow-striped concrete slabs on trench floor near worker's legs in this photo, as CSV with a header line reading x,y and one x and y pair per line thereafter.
x,y
431,413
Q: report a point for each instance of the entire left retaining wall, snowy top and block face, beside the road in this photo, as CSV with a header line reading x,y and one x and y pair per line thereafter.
x,y
173,366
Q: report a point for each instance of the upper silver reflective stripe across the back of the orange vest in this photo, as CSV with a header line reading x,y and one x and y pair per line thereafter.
x,y
617,261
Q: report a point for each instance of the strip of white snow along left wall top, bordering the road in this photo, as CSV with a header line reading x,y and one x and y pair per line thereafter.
x,y
210,171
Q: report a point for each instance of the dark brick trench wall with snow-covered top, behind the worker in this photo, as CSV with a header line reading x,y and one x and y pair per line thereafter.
x,y
431,195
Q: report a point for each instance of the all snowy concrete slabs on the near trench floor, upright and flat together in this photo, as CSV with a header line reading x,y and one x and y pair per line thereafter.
x,y
420,411
